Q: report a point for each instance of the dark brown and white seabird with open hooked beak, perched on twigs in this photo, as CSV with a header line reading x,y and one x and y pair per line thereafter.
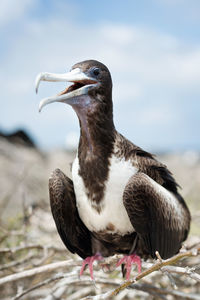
x,y
121,199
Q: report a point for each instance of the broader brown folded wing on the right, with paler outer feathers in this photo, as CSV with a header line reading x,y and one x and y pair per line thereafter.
x,y
157,222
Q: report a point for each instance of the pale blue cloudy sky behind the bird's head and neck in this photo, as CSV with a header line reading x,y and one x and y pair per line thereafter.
x,y
152,49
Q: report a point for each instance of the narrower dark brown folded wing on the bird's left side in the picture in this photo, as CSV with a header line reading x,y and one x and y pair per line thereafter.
x,y
71,229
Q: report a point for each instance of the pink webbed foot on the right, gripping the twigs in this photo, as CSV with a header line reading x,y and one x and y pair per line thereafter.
x,y
129,260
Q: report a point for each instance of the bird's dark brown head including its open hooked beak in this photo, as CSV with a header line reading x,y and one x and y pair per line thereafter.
x,y
91,88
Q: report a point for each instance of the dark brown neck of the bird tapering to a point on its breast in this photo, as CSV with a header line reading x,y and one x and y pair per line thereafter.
x,y
97,136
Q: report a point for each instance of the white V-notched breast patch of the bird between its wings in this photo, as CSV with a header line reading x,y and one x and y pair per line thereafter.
x,y
113,211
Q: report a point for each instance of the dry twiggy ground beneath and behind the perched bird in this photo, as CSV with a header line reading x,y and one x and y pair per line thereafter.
x,y
34,264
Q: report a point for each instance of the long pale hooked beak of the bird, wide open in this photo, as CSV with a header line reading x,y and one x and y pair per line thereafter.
x,y
81,85
